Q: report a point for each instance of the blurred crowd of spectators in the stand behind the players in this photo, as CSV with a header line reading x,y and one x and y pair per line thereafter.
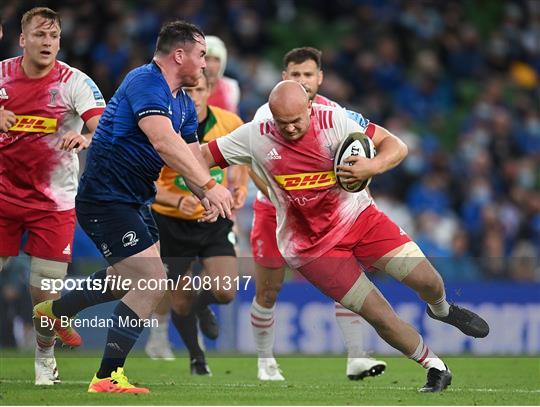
x,y
458,81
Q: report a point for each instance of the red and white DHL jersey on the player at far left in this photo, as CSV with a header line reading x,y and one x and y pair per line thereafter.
x,y
34,172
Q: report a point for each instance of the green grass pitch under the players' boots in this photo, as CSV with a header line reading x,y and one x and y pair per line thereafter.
x,y
310,381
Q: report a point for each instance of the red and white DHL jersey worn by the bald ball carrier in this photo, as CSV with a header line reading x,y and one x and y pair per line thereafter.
x,y
313,212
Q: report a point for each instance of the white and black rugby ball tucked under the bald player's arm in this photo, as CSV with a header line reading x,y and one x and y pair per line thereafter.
x,y
355,144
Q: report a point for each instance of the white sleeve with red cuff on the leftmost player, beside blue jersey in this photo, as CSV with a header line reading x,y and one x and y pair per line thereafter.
x,y
86,98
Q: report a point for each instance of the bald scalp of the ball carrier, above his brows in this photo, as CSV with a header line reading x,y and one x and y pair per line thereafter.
x,y
288,98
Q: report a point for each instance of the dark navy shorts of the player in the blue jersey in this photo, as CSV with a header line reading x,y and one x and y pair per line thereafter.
x,y
119,230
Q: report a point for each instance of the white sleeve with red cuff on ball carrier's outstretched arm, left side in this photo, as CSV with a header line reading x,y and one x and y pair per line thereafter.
x,y
234,148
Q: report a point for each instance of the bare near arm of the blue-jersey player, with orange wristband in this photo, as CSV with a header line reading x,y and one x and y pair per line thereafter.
x,y
179,156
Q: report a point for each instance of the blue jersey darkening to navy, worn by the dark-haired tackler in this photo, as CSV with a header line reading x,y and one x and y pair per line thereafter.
x,y
122,164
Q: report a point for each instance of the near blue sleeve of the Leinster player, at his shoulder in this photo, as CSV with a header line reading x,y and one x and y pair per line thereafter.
x,y
147,96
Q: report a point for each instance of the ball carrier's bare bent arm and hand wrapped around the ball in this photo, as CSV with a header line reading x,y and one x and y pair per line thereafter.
x,y
390,152
